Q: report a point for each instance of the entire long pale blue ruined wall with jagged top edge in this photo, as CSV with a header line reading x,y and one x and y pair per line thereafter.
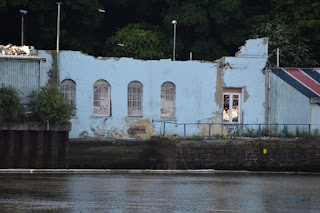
x,y
199,91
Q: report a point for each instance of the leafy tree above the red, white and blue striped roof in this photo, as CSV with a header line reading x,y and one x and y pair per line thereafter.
x,y
294,27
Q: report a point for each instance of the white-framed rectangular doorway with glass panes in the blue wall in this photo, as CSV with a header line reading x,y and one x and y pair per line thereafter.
x,y
231,106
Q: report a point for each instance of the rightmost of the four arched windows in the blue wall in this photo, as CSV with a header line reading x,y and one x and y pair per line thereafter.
x,y
168,100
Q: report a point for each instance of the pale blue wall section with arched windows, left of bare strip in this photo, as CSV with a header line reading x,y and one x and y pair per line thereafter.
x,y
194,93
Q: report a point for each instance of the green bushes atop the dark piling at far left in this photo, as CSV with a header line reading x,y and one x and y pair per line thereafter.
x,y
47,105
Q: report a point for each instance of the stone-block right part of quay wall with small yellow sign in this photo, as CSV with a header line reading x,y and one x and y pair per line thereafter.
x,y
271,155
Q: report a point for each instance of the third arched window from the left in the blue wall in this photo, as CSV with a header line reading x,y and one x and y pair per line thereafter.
x,y
135,90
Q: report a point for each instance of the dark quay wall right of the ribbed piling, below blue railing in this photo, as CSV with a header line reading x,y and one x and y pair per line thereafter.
x,y
254,155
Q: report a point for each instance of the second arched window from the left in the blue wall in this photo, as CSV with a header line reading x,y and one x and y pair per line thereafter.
x,y
108,98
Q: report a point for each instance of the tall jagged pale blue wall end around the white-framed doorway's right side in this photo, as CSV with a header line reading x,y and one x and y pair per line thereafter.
x,y
247,72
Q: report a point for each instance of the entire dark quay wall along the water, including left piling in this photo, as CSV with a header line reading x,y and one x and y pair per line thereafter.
x,y
34,148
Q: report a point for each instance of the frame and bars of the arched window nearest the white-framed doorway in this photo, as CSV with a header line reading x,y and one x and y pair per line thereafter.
x,y
164,103
